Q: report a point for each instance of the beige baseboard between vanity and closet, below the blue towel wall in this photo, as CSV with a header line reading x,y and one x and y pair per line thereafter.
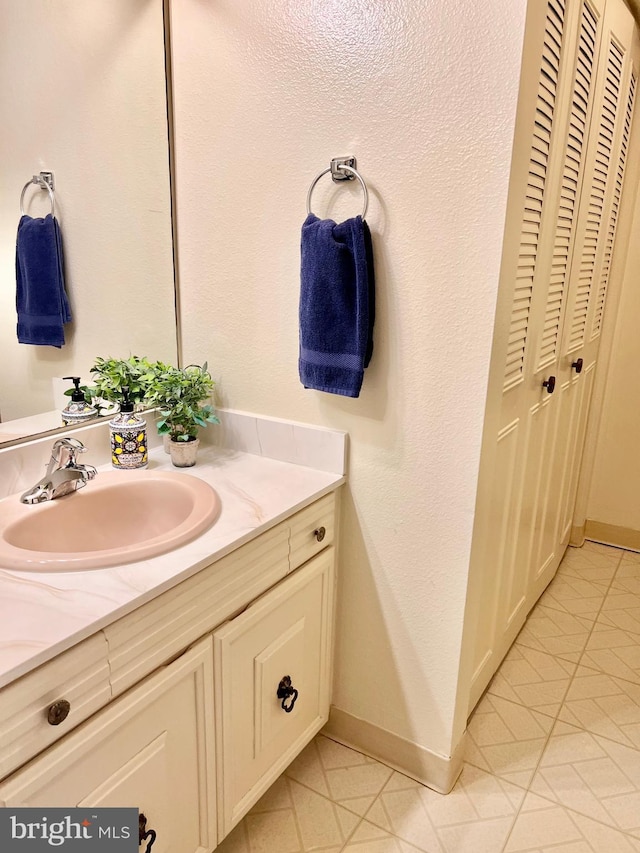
x,y
435,771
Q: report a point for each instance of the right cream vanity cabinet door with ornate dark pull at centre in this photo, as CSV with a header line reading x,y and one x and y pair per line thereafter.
x,y
285,633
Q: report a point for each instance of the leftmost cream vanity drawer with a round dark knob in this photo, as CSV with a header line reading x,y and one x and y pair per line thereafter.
x,y
79,676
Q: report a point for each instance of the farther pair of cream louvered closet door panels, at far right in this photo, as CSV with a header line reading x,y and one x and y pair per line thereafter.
x,y
595,240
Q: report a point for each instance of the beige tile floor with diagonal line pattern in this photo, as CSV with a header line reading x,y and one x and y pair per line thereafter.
x,y
553,758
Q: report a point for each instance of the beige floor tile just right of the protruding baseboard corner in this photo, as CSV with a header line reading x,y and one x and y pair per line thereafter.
x,y
507,739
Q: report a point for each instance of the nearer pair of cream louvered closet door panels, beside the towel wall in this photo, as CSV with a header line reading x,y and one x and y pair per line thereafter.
x,y
555,101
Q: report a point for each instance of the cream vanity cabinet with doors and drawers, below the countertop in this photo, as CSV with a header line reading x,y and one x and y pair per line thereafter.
x,y
192,731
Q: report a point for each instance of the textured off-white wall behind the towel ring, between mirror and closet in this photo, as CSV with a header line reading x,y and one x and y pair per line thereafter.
x,y
424,94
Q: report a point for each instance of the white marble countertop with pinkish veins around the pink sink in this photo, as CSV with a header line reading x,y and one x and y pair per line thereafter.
x,y
44,613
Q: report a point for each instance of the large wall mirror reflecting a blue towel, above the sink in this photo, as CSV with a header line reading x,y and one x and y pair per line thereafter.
x,y
83,93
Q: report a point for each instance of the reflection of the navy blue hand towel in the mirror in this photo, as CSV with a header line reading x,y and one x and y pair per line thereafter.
x,y
41,300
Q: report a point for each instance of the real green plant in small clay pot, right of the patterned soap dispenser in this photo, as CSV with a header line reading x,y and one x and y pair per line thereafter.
x,y
180,395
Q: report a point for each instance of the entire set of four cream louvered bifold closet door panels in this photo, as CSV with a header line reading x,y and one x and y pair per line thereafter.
x,y
556,185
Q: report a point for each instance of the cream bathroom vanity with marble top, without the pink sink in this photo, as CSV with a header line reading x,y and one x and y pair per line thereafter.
x,y
185,684
